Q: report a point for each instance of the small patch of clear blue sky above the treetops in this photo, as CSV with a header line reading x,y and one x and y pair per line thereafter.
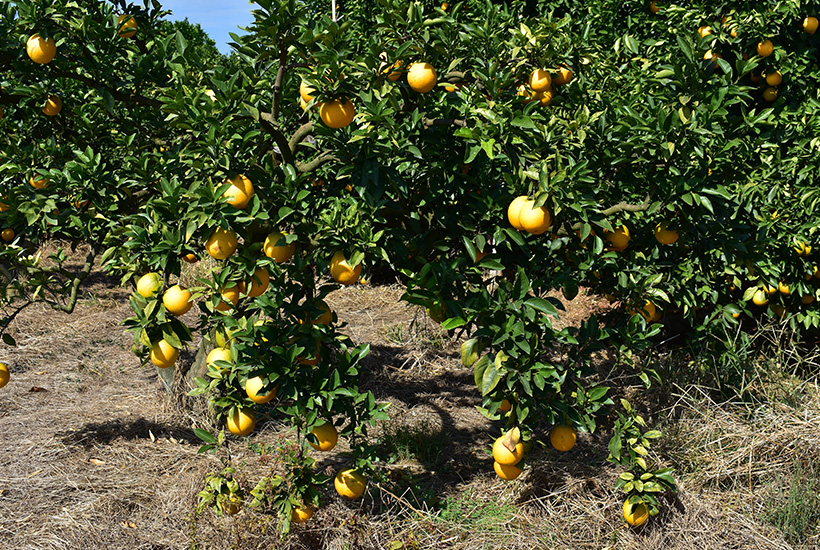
x,y
216,17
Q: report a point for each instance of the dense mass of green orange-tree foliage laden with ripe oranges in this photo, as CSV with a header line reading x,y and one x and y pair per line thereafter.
x,y
660,153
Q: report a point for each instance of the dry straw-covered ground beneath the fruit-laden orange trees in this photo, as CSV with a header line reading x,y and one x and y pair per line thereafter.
x,y
95,454
